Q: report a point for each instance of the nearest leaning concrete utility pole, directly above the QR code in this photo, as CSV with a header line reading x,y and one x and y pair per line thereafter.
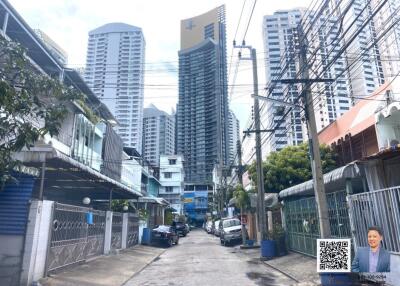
x,y
316,166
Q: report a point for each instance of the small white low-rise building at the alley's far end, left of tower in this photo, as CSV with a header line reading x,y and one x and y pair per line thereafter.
x,y
171,180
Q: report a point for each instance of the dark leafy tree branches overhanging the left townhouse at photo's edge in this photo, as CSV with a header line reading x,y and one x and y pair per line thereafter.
x,y
32,104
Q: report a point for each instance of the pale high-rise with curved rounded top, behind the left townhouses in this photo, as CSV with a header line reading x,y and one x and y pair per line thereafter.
x,y
115,73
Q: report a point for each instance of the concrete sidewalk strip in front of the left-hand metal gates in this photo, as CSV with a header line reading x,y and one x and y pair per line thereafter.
x,y
106,270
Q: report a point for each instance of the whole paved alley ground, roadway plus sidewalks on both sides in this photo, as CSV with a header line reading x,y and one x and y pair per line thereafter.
x,y
198,259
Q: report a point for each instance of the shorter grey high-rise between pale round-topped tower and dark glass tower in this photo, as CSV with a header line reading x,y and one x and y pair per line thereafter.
x,y
158,134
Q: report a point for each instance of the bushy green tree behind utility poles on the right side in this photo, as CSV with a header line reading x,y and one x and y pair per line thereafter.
x,y
291,166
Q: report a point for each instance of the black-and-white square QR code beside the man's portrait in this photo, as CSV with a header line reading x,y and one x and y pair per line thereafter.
x,y
333,255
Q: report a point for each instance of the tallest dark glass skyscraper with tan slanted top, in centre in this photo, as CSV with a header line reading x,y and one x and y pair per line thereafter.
x,y
202,111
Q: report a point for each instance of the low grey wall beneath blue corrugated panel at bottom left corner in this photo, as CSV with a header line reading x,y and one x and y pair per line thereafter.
x,y
11,248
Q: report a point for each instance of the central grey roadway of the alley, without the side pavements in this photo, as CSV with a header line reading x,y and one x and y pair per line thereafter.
x,y
199,259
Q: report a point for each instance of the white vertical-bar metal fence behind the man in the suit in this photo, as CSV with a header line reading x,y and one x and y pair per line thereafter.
x,y
380,208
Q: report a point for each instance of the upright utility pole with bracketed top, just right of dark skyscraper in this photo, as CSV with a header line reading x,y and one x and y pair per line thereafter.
x,y
260,175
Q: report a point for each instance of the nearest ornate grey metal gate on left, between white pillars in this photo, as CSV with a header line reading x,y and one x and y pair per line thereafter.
x,y
72,240
